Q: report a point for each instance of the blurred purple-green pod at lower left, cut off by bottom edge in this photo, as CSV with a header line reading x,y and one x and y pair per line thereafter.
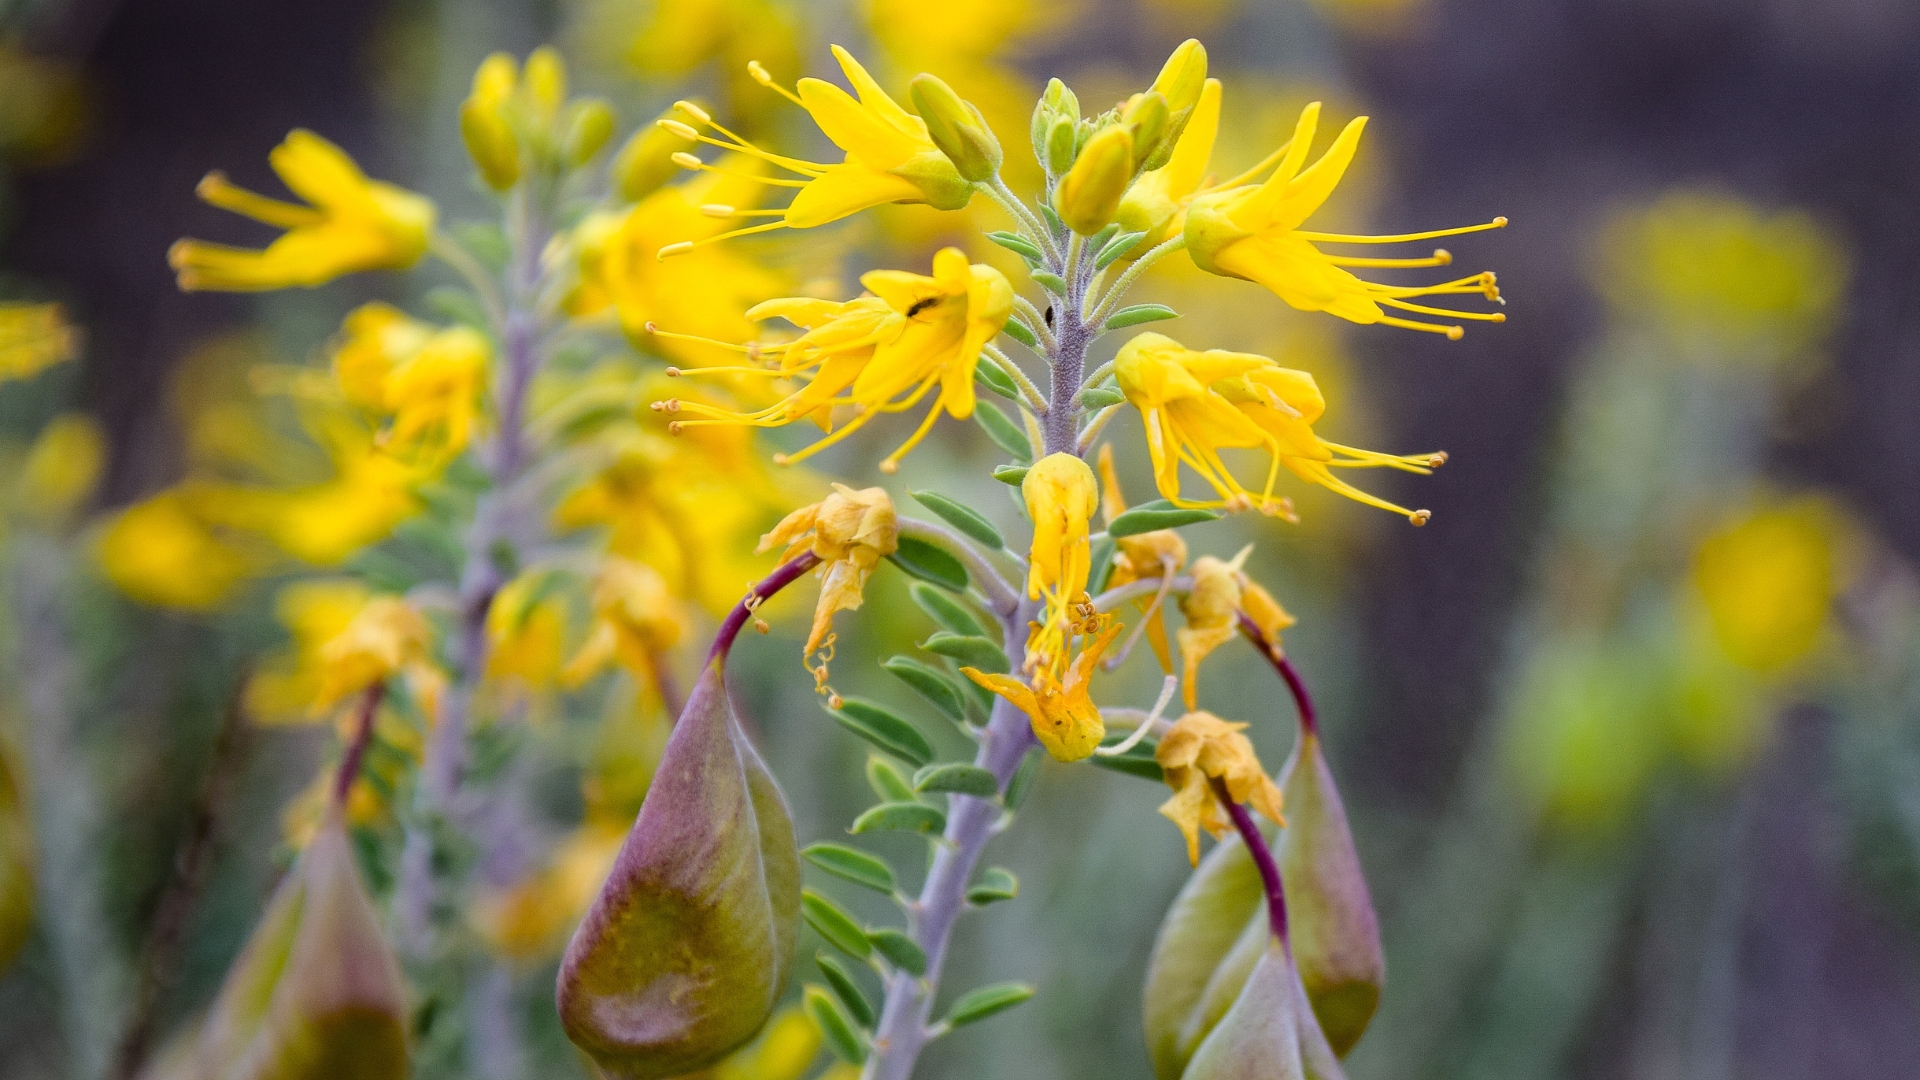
x,y
316,994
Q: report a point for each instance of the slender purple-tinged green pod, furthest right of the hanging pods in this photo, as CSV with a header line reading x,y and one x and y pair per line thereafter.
x,y
1333,931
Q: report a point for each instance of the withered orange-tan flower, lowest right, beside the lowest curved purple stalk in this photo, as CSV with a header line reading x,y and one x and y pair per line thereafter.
x,y
1199,750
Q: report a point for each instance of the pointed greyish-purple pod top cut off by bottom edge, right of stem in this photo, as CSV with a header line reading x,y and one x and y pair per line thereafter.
x,y
1270,1031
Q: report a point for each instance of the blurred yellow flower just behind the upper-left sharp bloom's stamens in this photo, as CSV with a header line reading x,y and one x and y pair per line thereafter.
x,y
704,293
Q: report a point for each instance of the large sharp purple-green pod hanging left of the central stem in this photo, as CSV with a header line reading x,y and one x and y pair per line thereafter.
x,y
684,952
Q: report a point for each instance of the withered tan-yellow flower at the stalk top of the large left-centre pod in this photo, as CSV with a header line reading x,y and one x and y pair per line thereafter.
x,y
852,533
